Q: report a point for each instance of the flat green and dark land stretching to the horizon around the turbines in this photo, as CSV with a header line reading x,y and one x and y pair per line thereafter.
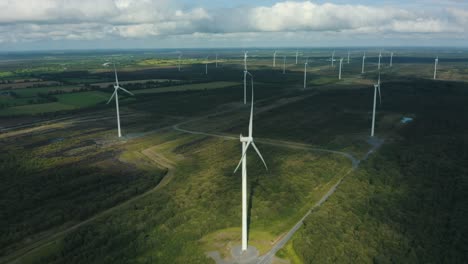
x,y
73,192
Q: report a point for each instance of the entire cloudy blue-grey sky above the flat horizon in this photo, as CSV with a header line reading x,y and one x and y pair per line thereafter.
x,y
153,24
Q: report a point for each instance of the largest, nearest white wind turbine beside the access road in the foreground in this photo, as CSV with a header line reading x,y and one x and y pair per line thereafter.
x,y
246,143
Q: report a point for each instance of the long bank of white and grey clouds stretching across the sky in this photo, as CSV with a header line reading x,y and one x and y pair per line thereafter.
x,y
25,20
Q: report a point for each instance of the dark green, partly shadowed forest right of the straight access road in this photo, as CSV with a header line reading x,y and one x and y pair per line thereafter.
x,y
407,203
